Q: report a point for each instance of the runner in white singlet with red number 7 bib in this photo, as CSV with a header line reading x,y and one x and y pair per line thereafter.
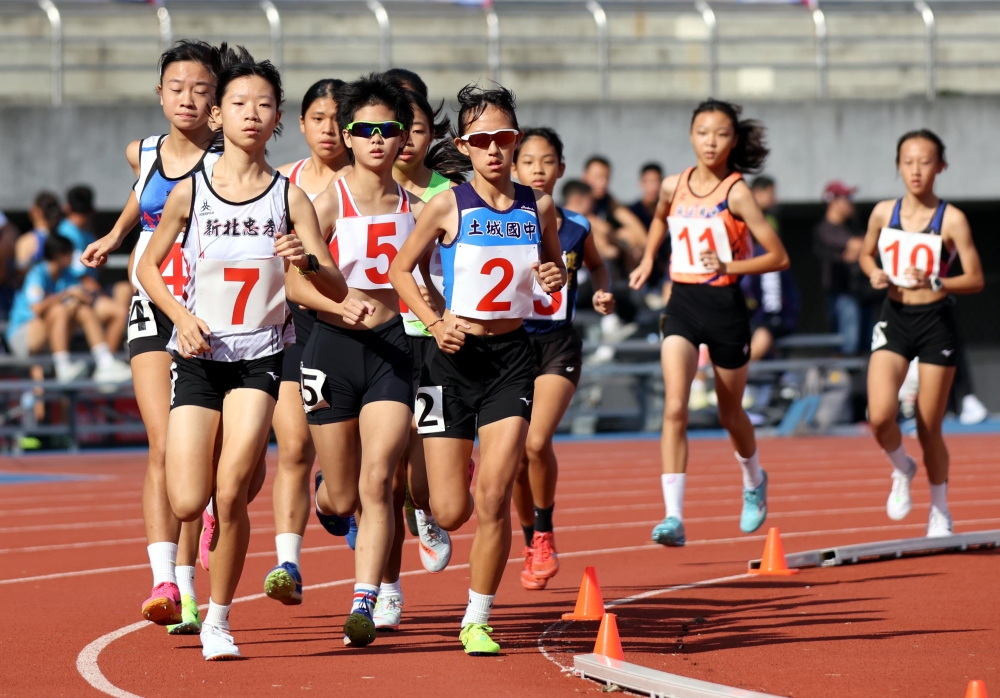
x,y
236,221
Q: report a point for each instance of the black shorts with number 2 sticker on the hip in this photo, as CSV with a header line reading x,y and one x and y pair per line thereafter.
x,y
490,378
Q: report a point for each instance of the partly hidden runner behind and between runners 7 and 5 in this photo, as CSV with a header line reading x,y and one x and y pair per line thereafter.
x,y
328,161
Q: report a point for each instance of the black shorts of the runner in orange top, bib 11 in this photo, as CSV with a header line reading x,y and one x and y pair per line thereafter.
x,y
712,315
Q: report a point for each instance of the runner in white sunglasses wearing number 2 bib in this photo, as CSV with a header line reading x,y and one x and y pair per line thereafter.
x,y
496,239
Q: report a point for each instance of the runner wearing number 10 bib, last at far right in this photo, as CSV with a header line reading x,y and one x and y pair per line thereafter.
x,y
917,319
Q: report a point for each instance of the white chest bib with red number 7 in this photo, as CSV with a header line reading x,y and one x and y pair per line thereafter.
x,y
238,296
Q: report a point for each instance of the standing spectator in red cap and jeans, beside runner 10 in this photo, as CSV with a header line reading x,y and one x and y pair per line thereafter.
x,y
837,243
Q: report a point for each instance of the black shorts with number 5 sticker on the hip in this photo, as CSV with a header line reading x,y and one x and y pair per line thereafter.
x,y
344,370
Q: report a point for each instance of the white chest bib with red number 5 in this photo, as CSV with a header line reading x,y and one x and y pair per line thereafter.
x,y
366,246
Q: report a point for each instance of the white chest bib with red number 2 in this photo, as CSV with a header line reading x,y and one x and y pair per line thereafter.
x,y
493,282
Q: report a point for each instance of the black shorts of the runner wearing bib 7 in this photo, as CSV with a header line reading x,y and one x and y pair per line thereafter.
x,y
205,383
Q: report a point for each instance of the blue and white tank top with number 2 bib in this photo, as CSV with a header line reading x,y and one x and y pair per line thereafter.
x,y
487,268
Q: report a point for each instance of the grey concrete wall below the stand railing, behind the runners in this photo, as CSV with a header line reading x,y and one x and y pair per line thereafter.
x,y
811,142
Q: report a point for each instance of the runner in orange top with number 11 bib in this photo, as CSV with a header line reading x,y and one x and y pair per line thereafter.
x,y
710,208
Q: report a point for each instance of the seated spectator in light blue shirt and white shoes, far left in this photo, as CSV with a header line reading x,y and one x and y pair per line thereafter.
x,y
48,307
